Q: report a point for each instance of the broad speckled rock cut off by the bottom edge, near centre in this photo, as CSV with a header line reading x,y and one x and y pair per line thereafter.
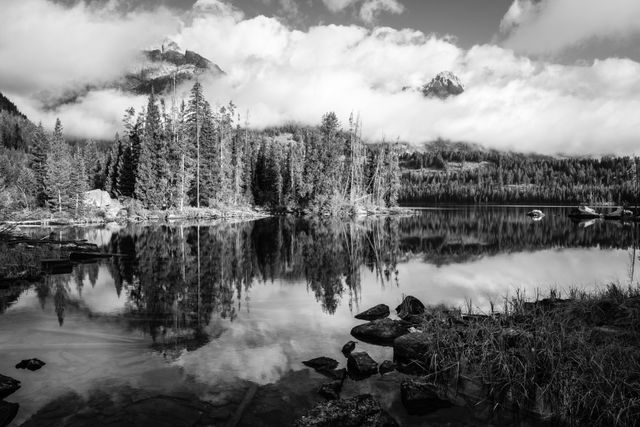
x,y
359,411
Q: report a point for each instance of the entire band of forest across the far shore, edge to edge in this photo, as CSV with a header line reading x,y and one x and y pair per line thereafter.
x,y
193,155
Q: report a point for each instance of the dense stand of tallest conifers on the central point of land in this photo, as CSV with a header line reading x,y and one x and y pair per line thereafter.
x,y
194,155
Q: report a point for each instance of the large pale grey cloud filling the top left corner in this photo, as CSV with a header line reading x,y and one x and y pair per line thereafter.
x,y
47,46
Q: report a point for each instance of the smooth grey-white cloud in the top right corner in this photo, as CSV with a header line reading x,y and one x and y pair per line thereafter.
x,y
551,26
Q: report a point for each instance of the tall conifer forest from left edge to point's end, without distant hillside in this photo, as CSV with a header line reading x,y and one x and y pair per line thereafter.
x,y
194,155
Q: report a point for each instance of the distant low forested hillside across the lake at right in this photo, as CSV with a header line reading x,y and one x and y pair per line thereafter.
x,y
478,176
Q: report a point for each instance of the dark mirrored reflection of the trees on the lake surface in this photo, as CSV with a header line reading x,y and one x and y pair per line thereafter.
x,y
175,279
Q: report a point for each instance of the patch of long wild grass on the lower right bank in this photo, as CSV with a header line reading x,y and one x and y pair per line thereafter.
x,y
574,360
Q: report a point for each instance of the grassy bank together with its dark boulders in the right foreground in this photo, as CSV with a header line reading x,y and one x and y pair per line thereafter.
x,y
552,361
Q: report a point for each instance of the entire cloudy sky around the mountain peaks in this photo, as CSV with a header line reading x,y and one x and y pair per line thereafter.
x,y
546,76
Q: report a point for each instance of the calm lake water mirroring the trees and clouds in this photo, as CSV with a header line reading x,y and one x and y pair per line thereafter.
x,y
207,307
